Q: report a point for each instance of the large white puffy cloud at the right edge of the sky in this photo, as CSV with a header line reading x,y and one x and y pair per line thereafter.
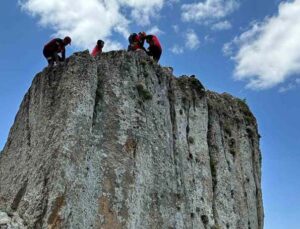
x,y
268,53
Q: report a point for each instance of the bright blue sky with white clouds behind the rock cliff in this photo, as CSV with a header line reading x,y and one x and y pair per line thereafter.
x,y
249,48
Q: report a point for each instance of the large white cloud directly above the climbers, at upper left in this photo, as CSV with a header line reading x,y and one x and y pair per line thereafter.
x,y
89,20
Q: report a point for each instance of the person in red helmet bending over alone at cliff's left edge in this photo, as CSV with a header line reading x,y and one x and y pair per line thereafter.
x,y
54,47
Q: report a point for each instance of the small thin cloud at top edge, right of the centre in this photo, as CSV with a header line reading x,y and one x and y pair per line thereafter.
x,y
208,11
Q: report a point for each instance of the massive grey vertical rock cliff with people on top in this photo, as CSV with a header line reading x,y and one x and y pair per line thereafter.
x,y
119,142
